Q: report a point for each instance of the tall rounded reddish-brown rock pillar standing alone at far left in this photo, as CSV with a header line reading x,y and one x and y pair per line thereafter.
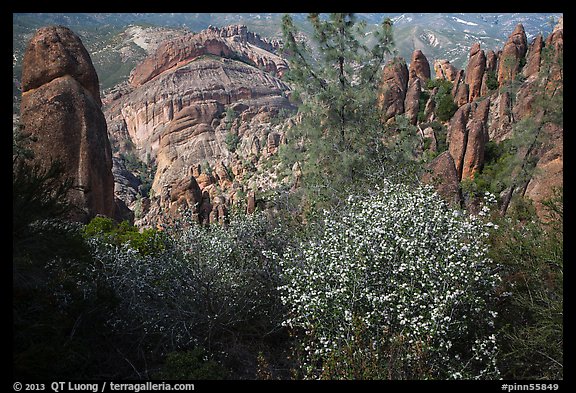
x,y
61,108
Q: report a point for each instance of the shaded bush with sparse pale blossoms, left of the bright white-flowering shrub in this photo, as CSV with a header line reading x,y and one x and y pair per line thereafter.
x,y
212,288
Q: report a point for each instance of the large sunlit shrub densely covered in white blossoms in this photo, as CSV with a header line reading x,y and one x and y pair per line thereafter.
x,y
398,277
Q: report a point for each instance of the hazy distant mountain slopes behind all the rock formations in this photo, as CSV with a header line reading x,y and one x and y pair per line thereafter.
x,y
118,41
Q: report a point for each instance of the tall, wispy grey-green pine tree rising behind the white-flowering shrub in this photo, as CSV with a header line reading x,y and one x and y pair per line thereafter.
x,y
335,84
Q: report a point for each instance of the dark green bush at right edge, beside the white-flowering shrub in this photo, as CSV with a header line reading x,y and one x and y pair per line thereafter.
x,y
530,255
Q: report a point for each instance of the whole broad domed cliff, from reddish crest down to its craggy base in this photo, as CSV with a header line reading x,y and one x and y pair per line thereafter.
x,y
201,107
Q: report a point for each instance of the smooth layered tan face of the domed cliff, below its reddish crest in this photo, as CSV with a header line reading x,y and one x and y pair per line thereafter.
x,y
179,118
